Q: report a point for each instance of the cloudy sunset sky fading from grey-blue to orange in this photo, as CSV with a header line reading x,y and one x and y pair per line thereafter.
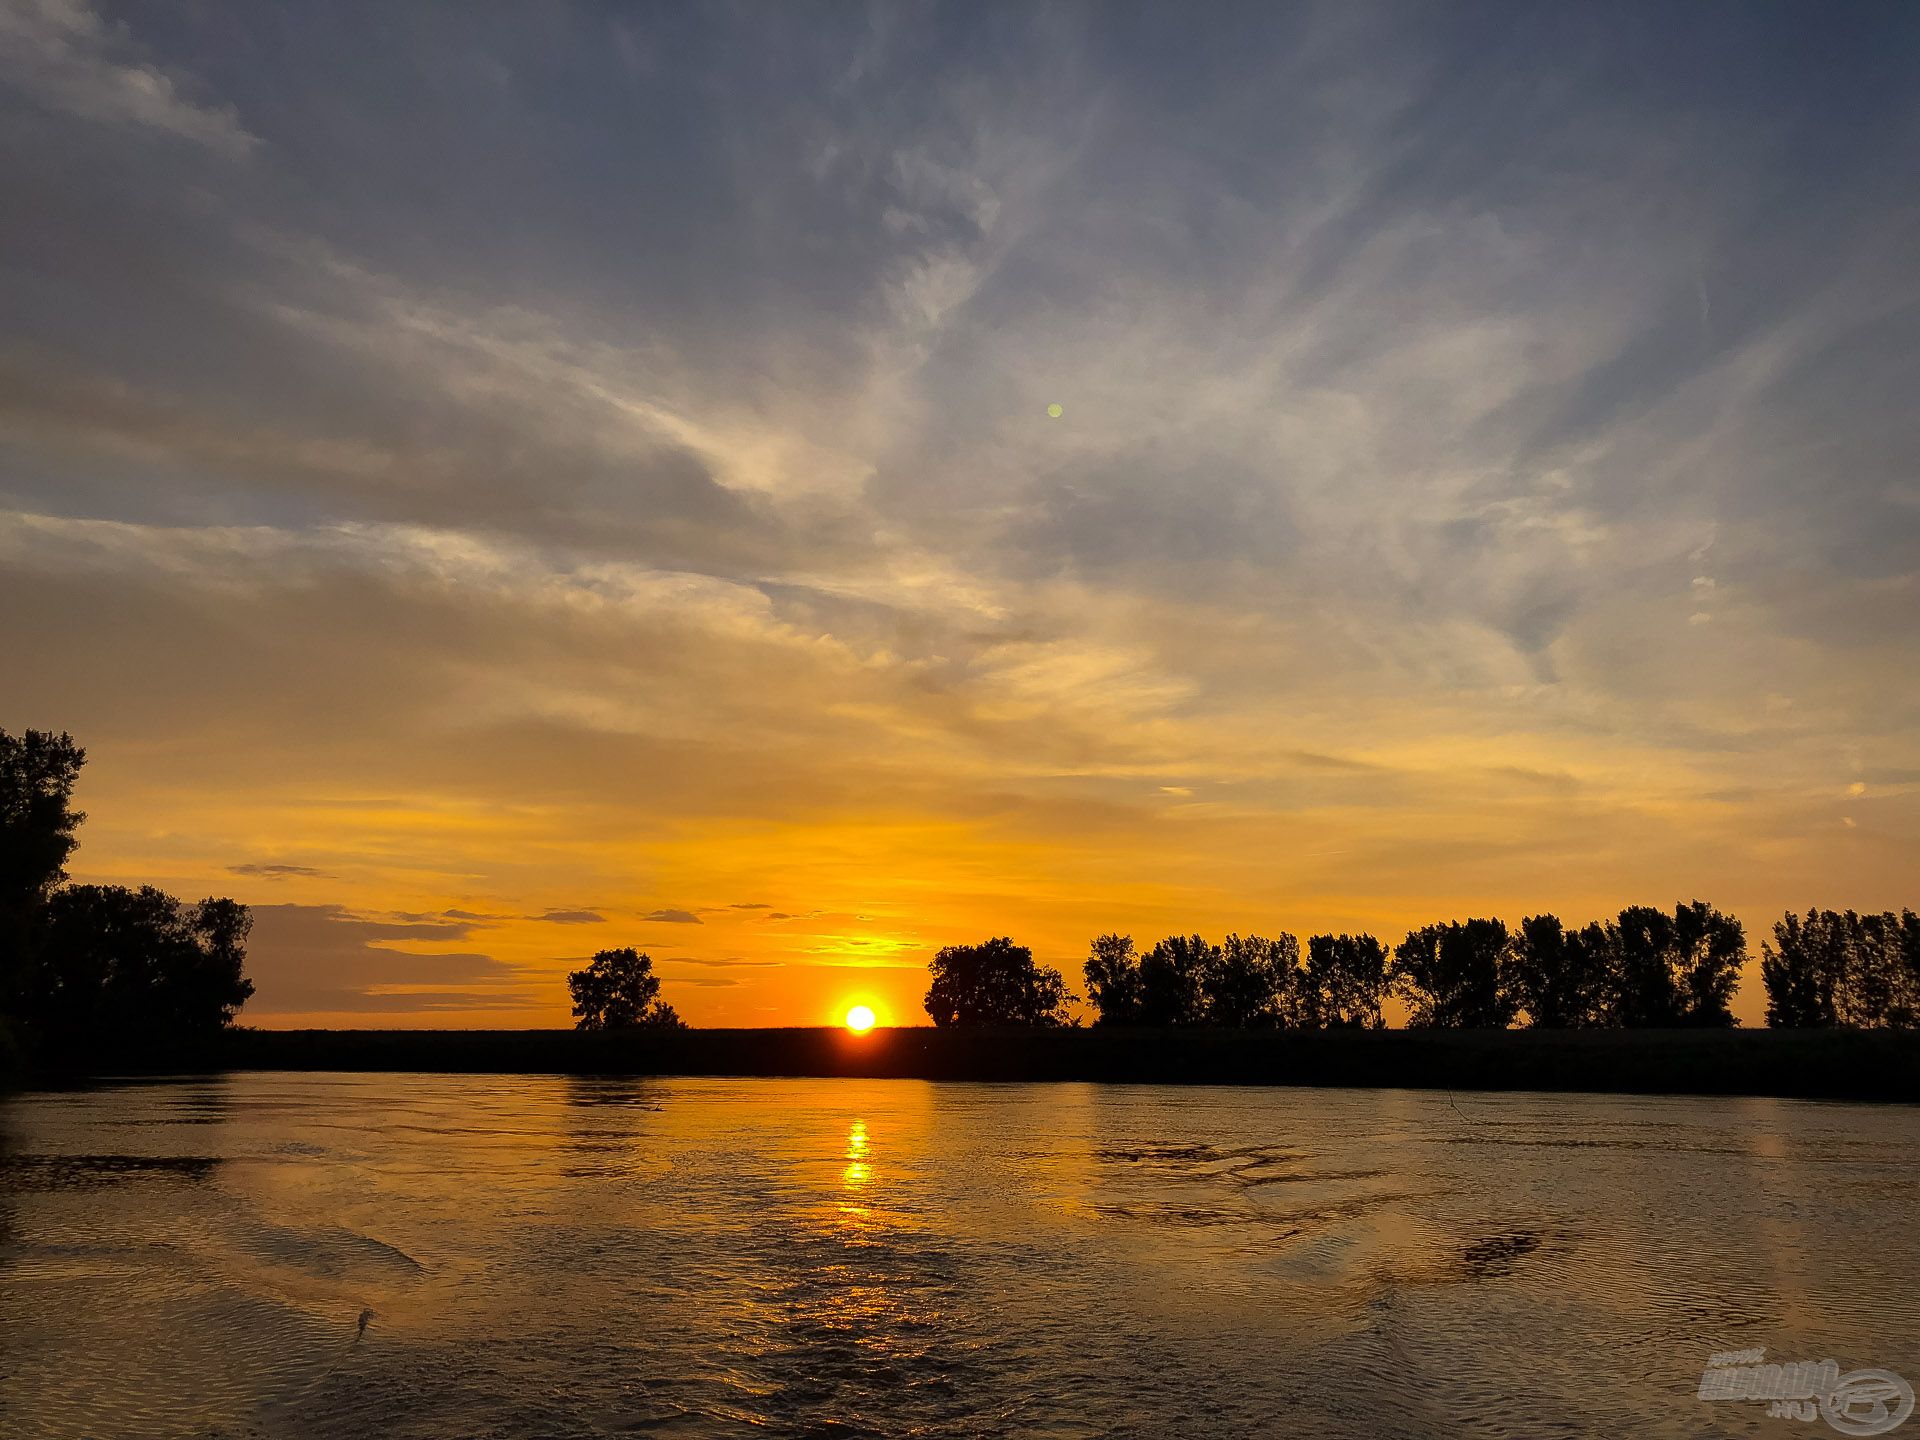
x,y
494,483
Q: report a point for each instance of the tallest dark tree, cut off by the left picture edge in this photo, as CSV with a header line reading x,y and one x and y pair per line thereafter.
x,y
37,823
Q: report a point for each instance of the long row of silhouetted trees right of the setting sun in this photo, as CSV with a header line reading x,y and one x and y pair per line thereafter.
x,y
1643,969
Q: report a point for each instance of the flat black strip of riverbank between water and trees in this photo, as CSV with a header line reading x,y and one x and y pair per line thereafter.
x,y
1827,1065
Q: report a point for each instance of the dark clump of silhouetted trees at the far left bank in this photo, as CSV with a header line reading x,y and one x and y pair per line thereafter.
x,y
85,969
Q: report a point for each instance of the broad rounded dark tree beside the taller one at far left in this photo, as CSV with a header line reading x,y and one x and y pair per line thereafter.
x,y
130,965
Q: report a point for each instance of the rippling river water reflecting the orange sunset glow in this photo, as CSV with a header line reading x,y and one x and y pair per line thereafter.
x,y
535,1257
